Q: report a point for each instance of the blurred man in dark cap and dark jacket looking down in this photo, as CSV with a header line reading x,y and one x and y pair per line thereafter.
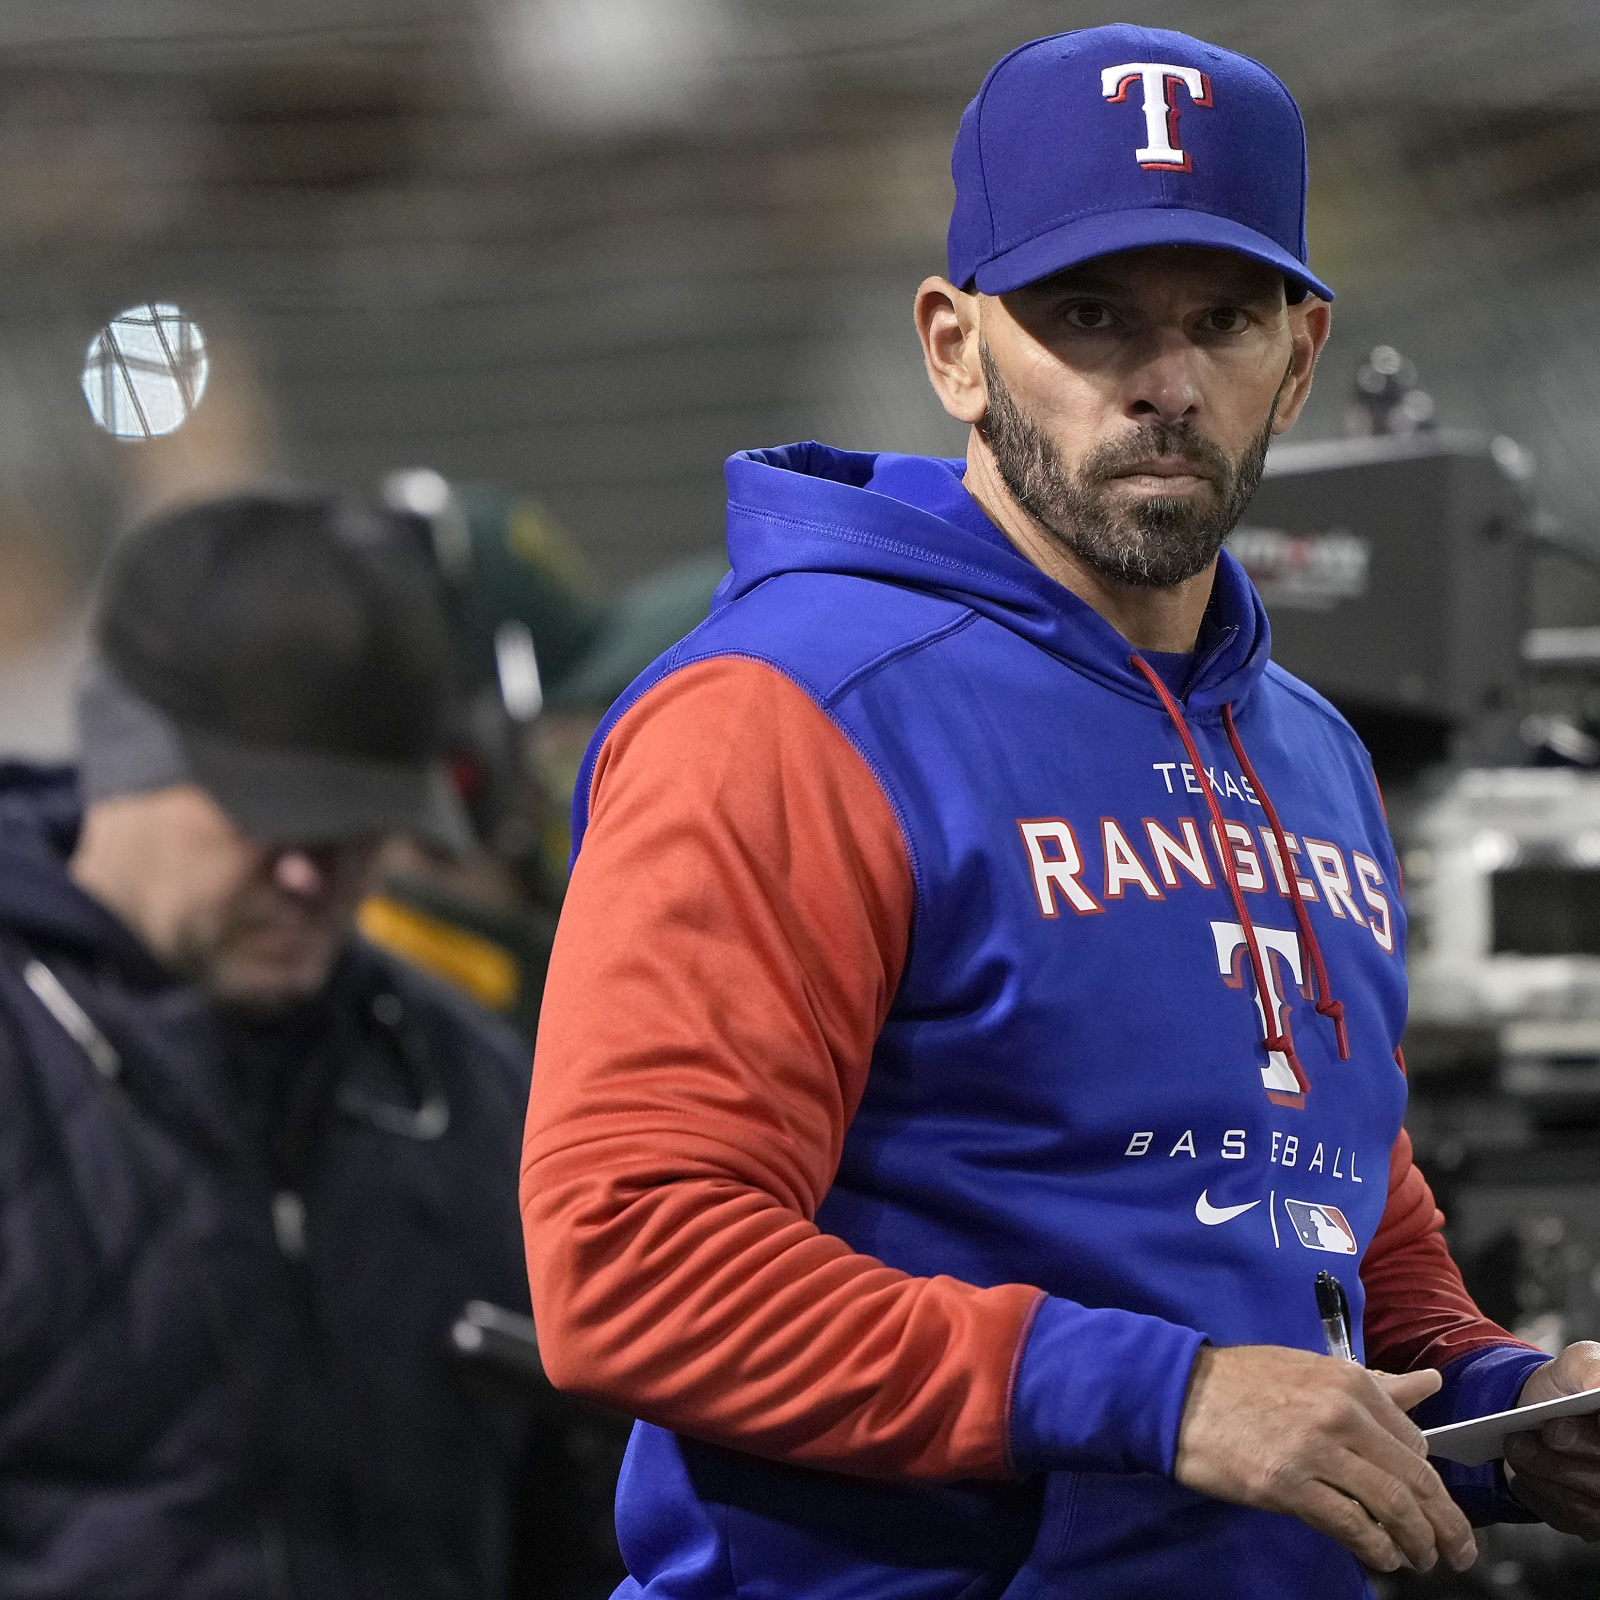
x,y
250,1169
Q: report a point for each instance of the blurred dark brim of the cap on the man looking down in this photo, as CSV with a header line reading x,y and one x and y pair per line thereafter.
x,y
306,798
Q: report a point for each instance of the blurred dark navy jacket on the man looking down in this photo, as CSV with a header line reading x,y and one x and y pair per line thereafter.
x,y
230,1262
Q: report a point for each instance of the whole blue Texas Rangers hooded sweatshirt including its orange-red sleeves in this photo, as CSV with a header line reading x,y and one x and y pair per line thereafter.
x,y
953,1025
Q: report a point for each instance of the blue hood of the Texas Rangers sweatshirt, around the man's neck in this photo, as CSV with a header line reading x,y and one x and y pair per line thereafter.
x,y
908,521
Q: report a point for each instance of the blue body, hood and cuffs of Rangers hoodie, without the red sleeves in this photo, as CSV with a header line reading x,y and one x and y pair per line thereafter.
x,y
1074,1087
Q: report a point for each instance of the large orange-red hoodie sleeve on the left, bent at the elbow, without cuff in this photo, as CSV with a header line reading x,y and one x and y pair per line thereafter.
x,y
730,945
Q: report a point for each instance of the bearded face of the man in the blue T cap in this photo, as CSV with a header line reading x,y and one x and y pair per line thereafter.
x,y
1130,404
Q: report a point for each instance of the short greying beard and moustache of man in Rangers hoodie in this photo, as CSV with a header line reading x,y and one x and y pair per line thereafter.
x,y
1154,543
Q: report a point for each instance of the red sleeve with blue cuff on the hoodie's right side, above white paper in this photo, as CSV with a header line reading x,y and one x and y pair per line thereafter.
x,y
1420,1314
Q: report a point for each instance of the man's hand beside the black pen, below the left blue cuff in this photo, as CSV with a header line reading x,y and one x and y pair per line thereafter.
x,y
1327,1442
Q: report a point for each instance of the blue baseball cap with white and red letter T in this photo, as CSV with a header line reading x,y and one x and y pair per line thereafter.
x,y
1116,138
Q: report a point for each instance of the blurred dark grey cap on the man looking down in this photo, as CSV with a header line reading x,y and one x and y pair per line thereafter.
x,y
297,662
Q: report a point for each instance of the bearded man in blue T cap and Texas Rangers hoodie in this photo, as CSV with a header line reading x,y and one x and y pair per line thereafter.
x,y
974,1028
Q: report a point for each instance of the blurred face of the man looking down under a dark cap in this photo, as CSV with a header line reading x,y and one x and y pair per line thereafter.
x,y
257,926
